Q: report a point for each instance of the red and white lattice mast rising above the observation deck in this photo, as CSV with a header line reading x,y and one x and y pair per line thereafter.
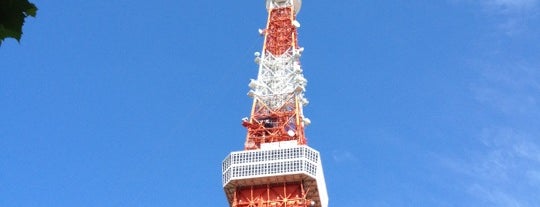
x,y
278,92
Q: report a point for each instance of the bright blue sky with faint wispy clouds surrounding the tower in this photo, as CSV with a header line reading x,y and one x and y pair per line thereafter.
x,y
136,103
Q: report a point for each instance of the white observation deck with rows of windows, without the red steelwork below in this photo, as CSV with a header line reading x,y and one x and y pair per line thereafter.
x,y
275,163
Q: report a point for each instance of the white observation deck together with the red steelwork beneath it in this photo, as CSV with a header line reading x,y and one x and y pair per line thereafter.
x,y
280,174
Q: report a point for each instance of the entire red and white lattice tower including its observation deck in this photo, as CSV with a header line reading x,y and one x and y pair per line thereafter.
x,y
276,168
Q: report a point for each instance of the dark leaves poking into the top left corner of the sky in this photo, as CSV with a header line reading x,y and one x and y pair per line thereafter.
x,y
12,15
